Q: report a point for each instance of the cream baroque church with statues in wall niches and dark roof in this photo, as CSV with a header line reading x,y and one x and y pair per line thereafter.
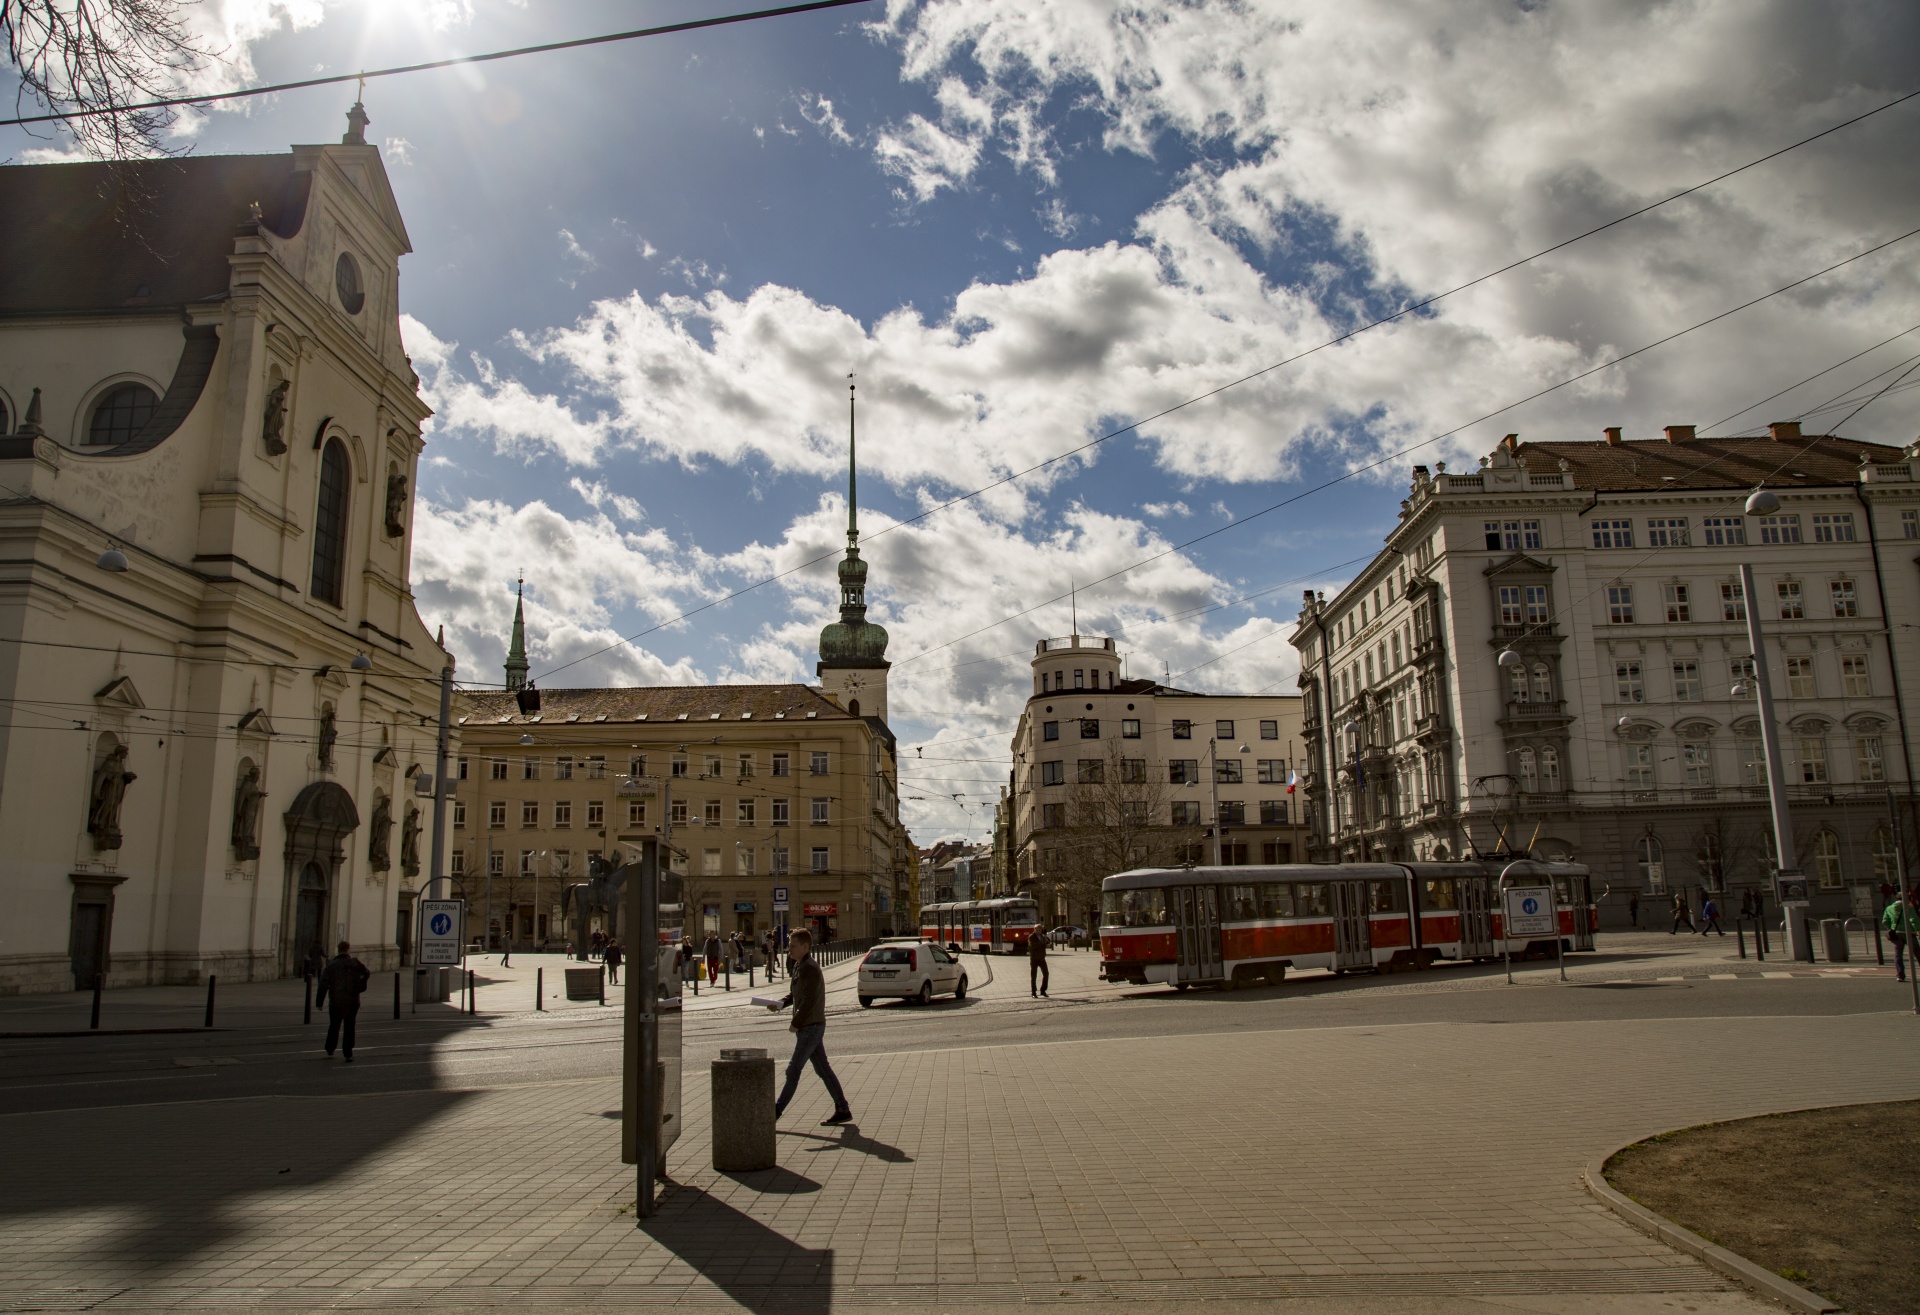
x,y
218,692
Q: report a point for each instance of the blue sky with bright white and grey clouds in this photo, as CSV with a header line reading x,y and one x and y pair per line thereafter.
x,y
646,272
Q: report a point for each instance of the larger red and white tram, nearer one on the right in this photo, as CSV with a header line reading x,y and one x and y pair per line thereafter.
x,y
1239,926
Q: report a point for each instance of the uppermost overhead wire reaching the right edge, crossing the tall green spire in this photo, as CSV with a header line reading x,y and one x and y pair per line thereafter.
x,y
1236,383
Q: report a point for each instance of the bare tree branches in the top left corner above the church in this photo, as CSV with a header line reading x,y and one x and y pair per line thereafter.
x,y
99,59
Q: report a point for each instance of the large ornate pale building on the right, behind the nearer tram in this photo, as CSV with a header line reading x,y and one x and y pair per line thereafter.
x,y
1612,571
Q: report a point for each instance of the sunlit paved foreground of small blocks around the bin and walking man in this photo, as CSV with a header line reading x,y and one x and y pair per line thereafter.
x,y
1370,1160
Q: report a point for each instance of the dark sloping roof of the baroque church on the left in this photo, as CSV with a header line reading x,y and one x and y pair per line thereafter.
x,y
89,237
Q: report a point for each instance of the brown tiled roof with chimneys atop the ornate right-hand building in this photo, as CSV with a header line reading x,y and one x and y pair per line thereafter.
x,y
1708,464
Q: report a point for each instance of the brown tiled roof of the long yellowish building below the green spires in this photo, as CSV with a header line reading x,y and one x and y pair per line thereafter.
x,y
652,705
